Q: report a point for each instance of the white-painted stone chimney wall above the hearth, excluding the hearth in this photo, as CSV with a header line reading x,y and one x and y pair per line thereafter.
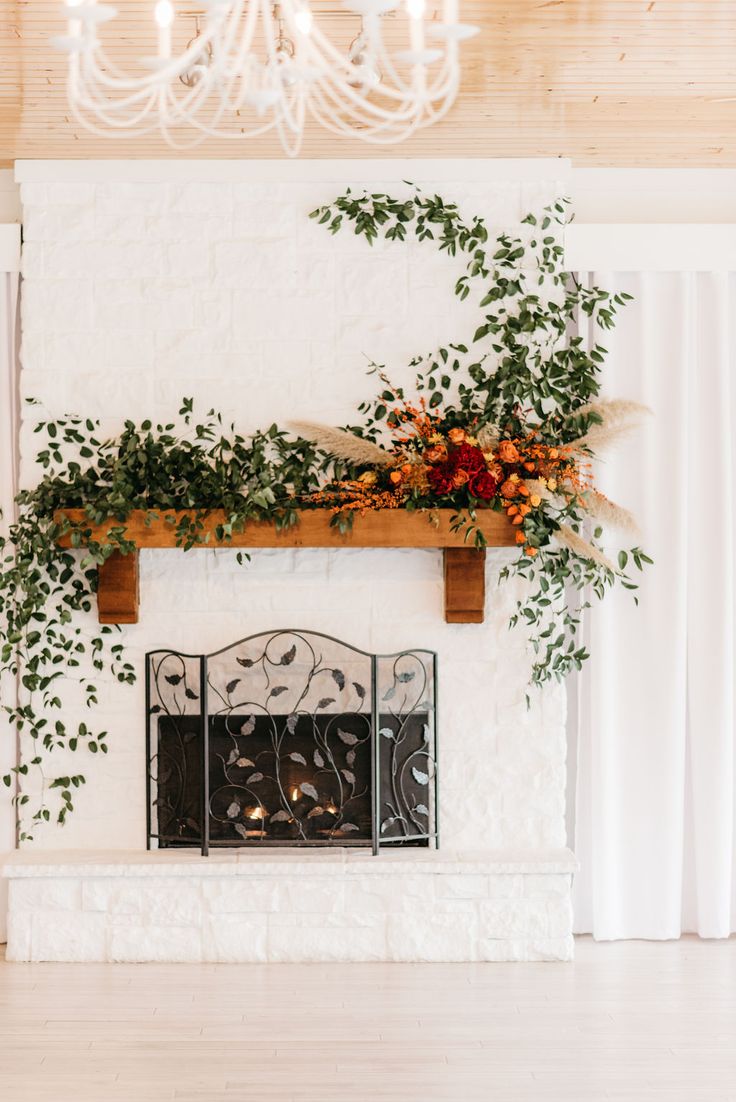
x,y
140,291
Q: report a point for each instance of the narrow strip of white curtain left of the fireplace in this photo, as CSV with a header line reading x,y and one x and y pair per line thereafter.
x,y
9,464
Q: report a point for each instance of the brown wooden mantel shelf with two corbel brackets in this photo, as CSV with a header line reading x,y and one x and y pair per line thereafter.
x,y
464,567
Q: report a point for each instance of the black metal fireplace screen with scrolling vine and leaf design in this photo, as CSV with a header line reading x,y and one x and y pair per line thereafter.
x,y
291,739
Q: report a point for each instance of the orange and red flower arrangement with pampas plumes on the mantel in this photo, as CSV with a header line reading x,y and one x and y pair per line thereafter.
x,y
434,466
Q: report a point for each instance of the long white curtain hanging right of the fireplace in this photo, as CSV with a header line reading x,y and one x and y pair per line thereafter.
x,y
656,828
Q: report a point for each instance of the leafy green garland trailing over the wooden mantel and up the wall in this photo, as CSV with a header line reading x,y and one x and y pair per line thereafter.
x,y
522,379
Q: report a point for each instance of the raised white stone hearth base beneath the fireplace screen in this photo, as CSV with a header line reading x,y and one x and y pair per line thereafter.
x,y
279,906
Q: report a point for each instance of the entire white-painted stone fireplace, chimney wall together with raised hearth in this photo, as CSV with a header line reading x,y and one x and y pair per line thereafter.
x,y
148,282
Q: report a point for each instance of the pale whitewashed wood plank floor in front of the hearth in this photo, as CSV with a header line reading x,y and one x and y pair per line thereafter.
x,y
630,1021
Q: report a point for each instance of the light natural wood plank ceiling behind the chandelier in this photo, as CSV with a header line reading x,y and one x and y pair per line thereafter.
x,y
603,82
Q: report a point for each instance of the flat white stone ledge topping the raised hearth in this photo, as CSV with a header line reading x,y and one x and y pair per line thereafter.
x,y
277,862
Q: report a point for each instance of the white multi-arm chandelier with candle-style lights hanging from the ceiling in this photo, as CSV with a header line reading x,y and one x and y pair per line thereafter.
x,y
250,67
